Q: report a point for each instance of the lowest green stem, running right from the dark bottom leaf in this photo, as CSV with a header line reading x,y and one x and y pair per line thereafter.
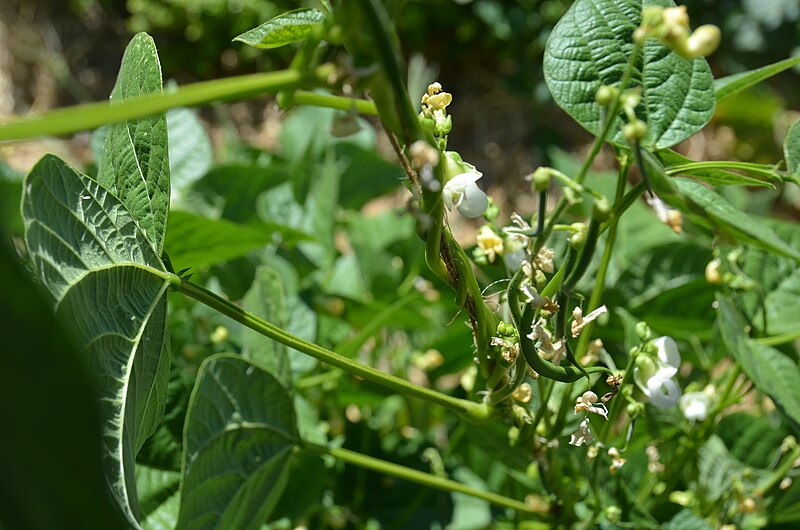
x,y
413,475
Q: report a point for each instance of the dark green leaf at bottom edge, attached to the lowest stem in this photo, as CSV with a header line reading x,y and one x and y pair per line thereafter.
x,y
240,433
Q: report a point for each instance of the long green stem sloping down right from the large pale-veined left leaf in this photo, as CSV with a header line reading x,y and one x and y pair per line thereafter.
x,y
467,409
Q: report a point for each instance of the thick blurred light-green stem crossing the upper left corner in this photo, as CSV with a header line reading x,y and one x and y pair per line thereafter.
x,y
93,115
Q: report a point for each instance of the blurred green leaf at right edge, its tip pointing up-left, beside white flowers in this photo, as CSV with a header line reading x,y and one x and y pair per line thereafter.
x,y
772,372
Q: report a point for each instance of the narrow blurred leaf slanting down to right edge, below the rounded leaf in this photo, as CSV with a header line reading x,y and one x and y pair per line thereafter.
x,y
732,221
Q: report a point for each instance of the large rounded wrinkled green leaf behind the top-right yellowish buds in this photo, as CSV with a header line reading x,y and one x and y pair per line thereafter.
x,y
591,46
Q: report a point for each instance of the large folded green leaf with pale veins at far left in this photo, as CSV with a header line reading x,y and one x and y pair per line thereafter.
x,y
109,287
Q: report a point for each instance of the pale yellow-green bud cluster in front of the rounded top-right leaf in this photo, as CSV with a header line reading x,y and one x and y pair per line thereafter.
x,y
670,25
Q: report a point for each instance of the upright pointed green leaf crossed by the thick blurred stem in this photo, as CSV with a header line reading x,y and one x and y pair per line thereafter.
x,y
135,163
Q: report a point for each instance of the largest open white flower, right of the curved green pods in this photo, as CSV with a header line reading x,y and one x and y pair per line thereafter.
x,y
654,375
